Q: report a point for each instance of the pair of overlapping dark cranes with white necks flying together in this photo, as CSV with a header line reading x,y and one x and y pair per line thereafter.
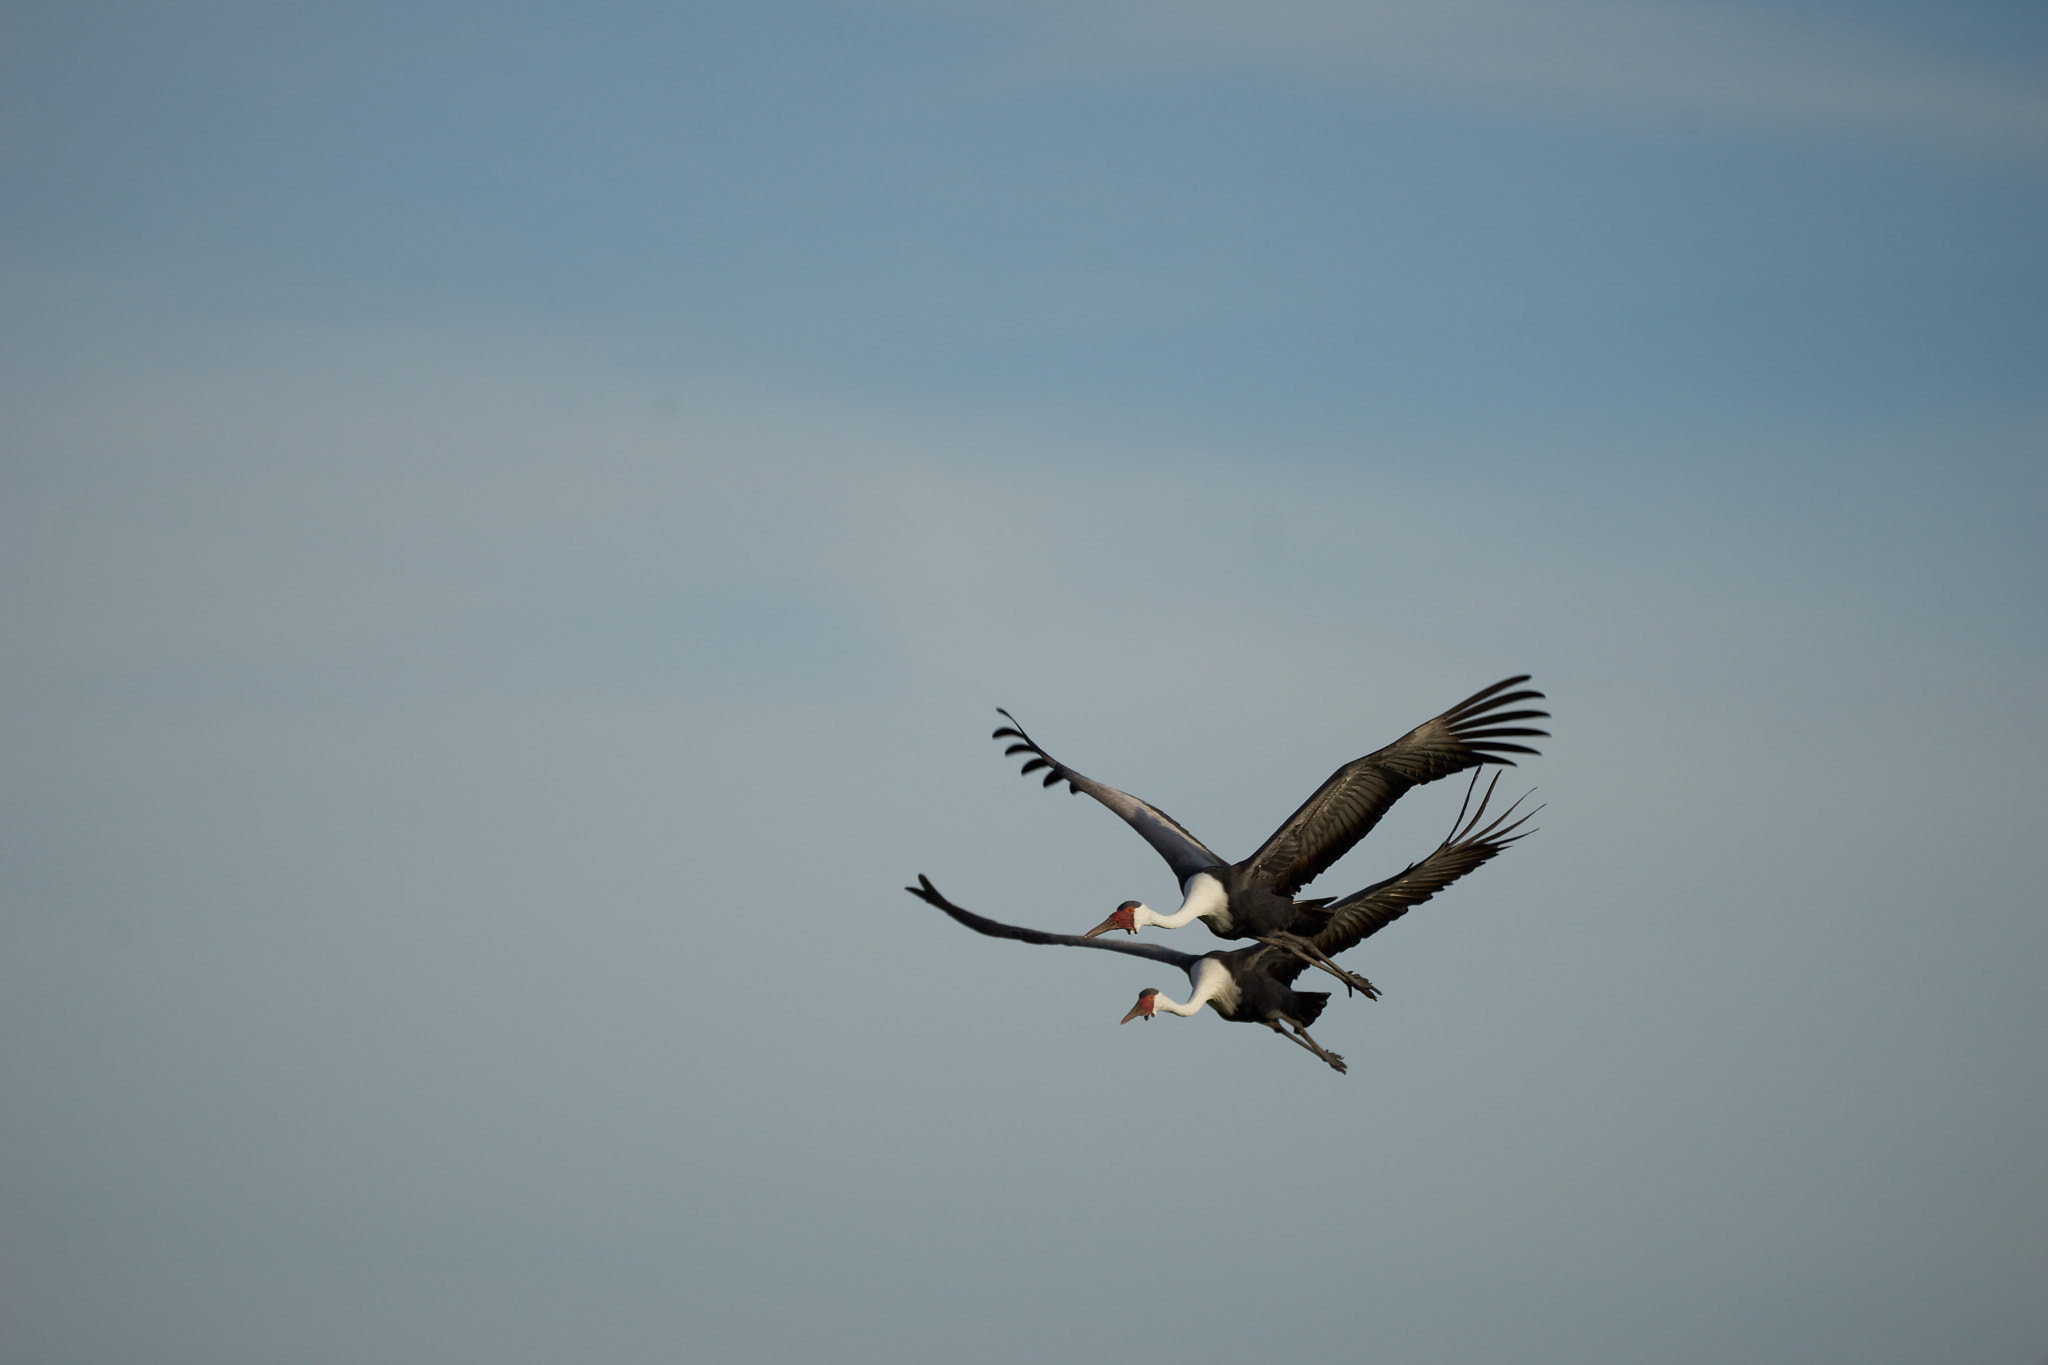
x,y
1256,899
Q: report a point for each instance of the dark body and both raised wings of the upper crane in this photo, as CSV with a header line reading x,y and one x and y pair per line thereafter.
x,y
1258,893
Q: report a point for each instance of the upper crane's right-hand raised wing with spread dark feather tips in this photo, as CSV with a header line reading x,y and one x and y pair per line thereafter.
x,y
1355,799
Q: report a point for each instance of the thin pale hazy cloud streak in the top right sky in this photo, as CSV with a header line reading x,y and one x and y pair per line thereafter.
x,y
1744,64
